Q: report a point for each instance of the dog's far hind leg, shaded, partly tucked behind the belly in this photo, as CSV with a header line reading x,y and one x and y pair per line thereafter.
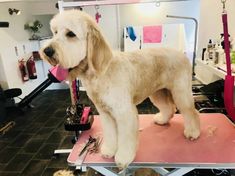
x,y
162,99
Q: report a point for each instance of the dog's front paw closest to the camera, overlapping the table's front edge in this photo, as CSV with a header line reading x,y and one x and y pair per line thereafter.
x,y
123,159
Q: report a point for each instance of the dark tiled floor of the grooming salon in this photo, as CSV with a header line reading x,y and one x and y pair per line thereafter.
x,y
27,149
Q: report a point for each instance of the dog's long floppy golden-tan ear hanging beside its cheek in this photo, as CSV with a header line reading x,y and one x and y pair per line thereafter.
x,y
98,51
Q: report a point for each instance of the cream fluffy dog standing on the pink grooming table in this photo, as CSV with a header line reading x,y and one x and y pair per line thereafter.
x,y
117,81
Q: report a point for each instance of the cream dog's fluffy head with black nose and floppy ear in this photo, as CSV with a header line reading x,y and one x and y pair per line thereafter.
x,y
76,37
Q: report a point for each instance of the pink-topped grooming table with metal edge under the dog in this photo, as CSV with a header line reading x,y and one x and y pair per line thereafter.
x,y
166,147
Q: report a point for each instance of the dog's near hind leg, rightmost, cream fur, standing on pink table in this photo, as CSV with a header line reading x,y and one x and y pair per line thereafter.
x,y
182,96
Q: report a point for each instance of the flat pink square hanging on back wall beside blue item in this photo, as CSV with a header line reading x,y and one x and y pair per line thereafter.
x,y
152,34
